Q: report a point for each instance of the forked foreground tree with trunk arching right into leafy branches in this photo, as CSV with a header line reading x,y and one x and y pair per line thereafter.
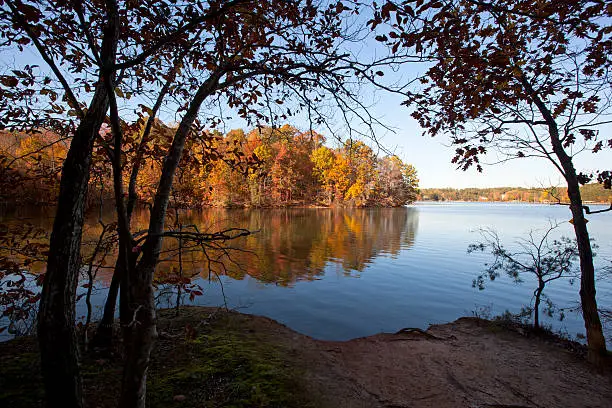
x,y
257,53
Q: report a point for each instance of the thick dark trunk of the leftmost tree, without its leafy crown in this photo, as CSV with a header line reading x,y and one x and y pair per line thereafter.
x,y
56,317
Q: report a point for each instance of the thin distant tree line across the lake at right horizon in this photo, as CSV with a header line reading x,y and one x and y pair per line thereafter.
x,y
593,192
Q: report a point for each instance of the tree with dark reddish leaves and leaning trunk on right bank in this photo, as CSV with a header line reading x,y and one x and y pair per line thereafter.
x,y
524,78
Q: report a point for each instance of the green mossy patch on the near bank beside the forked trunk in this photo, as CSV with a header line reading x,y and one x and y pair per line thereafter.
x,y
231,370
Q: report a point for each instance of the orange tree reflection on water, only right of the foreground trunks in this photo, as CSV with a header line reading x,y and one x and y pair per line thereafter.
x,y
297,244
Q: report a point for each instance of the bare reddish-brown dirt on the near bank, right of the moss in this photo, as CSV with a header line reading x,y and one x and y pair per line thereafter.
x,y
466,364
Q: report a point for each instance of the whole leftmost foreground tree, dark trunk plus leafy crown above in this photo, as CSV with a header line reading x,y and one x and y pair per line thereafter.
x,y
78,43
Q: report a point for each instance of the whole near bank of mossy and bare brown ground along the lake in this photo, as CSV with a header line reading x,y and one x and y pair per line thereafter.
x,y
209,356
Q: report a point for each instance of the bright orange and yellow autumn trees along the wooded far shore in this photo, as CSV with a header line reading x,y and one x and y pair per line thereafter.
x,y
263,167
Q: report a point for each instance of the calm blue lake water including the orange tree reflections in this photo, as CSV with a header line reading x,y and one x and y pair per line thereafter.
x,y
337,274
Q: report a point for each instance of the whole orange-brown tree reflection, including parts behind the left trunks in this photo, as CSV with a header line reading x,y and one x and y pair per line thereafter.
x,y
290,245
